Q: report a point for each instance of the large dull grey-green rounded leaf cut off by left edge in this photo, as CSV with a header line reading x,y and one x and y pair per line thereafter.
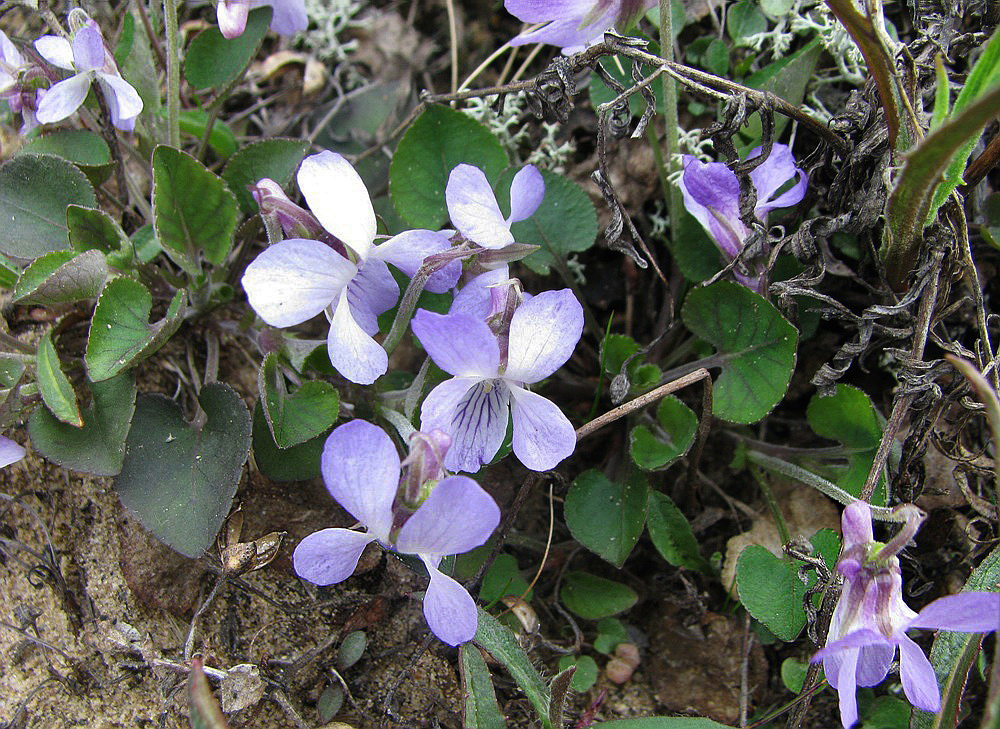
x,y
35,190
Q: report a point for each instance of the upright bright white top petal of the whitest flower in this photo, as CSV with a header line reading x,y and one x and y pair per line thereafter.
x,y
339,199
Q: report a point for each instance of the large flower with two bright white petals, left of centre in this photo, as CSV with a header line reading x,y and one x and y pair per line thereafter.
x,y
296,279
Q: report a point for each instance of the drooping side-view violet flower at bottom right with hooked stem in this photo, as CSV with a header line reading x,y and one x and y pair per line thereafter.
x,y
870,620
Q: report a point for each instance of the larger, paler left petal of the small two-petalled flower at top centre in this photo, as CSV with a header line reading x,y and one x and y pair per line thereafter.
x,y
473,208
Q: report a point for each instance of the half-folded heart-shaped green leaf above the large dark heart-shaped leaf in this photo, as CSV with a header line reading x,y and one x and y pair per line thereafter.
x,y
120,332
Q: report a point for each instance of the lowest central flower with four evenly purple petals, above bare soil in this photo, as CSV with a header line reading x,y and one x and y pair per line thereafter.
x,y
361,469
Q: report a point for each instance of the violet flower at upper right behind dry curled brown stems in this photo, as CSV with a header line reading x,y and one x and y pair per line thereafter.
x,y
712,195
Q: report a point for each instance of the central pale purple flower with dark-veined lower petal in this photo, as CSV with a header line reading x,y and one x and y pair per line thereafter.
x,y
490,372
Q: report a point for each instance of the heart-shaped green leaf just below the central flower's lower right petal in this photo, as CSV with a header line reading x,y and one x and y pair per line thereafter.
x,y
607,517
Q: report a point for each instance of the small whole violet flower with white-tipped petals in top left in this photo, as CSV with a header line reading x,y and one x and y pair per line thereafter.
x,y
92,61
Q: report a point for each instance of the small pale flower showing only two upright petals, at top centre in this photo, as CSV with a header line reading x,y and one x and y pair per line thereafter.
x,y
473,207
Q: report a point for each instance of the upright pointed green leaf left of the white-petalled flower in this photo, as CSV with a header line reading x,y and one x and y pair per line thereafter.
x,y
194,213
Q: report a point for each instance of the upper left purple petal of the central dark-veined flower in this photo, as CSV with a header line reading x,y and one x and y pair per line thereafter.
x,y
459,344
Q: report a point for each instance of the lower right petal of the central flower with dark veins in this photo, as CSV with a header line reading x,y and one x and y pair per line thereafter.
x,y
543,435
